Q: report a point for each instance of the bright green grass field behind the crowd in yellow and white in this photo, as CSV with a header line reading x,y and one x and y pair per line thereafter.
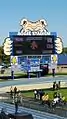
x,y
49,91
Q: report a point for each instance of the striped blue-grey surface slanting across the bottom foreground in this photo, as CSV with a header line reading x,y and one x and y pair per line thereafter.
x,y
36,114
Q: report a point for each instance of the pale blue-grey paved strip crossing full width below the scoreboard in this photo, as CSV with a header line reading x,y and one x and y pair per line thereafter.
x,y
26,81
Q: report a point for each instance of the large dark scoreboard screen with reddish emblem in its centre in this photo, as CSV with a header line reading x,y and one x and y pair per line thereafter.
x,y
33,45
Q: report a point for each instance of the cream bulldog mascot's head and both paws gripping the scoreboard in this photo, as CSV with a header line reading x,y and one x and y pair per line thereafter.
x,y
33,28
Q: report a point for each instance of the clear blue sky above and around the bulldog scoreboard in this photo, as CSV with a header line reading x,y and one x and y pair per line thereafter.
x,y
54,11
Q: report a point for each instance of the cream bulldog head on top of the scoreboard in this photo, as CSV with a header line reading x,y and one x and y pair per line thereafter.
x,y
33,28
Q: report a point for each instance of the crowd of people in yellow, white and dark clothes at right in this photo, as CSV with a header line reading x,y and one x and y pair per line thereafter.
x,y
44,97
